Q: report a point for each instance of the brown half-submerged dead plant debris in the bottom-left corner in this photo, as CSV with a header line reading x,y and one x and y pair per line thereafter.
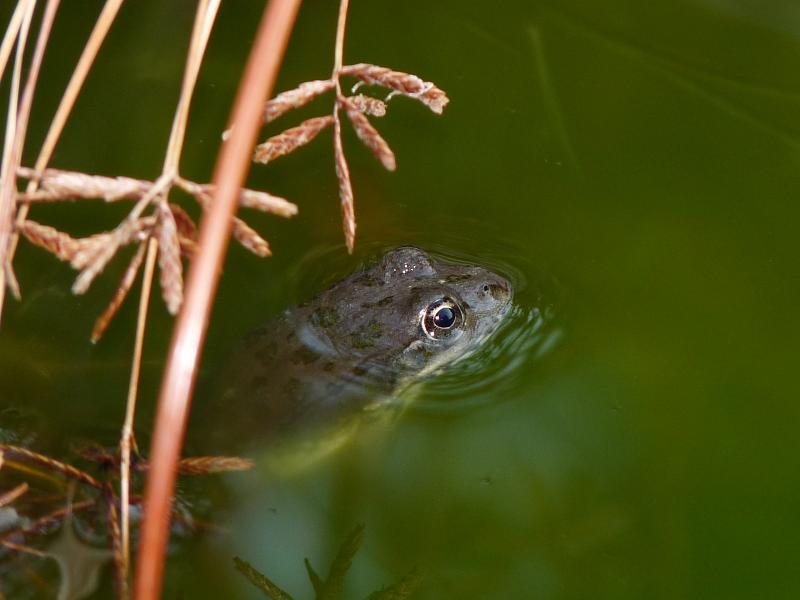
x,y
45,500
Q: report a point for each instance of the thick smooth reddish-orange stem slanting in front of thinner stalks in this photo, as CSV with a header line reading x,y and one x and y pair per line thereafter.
x,y
215,227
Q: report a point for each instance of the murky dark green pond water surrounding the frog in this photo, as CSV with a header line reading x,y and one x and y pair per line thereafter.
x,y
644,155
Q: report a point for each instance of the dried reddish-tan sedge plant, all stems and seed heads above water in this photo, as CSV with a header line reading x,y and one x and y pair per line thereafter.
x,y
163,232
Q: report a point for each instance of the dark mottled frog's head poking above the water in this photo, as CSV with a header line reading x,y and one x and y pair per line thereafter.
x,y
410,314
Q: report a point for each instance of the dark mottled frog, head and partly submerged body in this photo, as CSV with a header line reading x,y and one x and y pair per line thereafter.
x,y
336,359
